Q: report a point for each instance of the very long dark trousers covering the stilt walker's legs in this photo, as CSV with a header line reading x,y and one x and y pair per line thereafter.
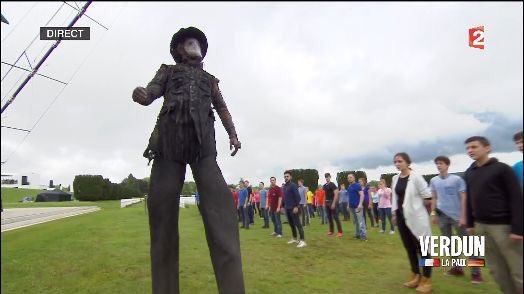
x,y
220,224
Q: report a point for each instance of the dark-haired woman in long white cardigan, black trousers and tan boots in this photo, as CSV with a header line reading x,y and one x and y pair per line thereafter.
x,y
411,216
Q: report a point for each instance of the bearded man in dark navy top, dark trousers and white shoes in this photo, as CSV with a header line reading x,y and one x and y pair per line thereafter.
x,y
292,206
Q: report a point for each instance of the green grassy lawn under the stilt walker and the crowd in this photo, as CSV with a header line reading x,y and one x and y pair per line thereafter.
x,y
108,252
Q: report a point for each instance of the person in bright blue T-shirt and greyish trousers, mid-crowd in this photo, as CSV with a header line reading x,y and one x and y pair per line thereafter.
x,y
356,200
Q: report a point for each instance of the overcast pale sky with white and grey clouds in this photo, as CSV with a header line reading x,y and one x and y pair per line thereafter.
x,y
331,86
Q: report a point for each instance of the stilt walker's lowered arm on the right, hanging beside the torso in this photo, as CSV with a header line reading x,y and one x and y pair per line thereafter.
x,y
227,121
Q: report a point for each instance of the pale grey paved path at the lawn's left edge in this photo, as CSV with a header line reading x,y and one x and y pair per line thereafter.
x,y
15,218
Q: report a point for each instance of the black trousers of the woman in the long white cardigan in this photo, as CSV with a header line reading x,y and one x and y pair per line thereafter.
x,y
412,246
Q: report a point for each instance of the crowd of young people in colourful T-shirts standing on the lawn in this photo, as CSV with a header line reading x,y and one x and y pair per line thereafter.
x,y
487,202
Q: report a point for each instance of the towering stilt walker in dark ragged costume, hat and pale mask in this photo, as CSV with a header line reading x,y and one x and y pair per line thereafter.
x,y
184,134
